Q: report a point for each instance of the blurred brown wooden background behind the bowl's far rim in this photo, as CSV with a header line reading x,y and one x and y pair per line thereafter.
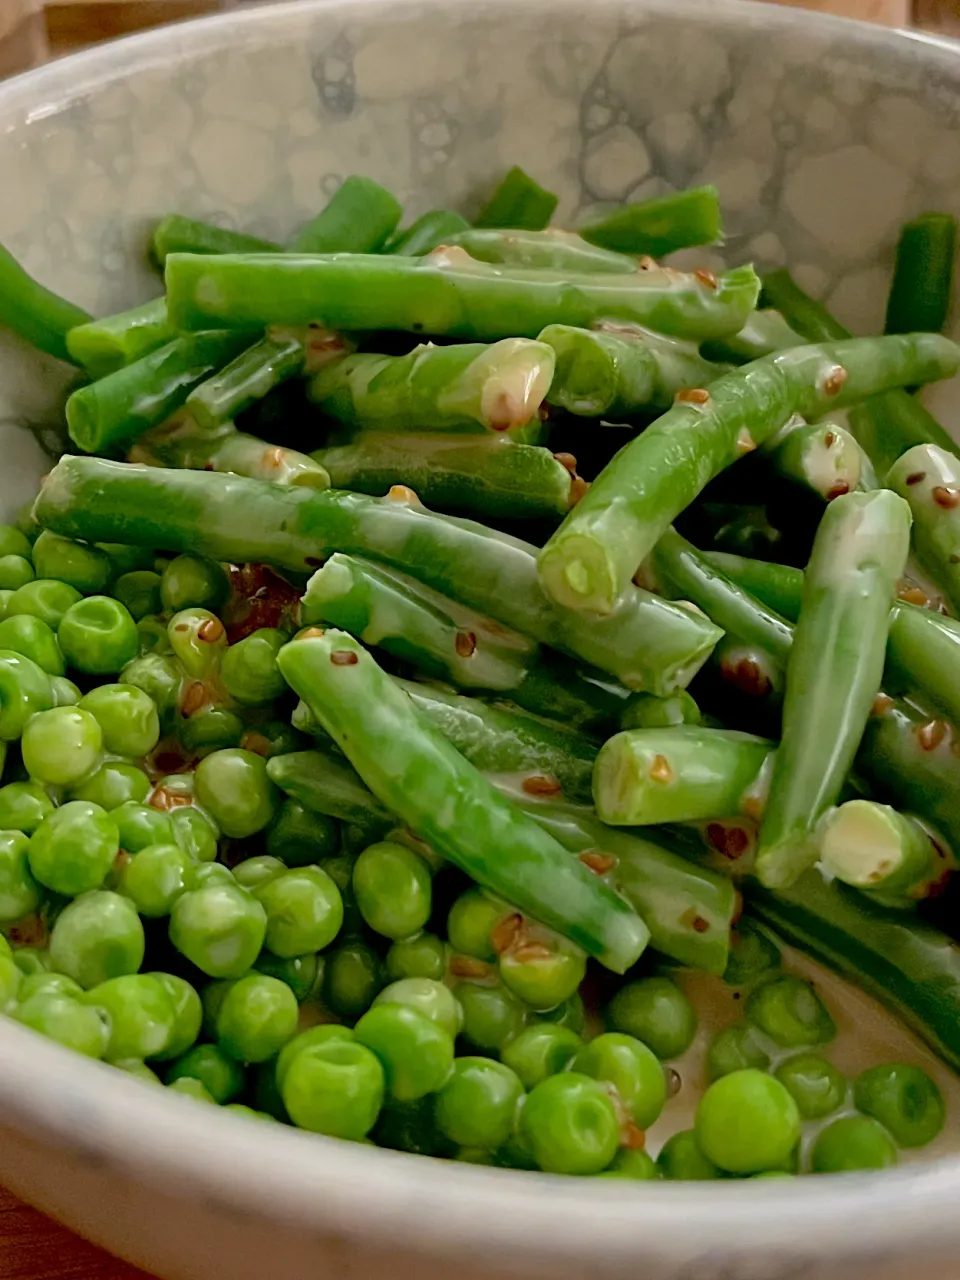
x,y
33,31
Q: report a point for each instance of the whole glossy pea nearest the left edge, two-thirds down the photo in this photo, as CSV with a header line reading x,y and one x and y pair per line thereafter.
x,y
75,848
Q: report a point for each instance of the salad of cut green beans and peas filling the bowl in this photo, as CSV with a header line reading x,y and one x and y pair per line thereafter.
x,y
445,643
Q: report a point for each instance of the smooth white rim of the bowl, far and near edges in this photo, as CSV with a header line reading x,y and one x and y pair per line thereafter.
x,y
387,1199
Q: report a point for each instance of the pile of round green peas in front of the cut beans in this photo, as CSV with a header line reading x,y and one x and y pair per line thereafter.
x,y
167,911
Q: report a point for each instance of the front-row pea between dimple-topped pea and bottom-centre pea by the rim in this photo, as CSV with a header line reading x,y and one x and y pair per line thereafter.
x,y
478,1104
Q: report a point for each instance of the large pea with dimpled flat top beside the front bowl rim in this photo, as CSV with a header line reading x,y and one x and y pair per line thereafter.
x,y
335,1089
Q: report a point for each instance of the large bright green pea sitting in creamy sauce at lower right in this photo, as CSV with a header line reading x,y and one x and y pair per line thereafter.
x,y
570,1124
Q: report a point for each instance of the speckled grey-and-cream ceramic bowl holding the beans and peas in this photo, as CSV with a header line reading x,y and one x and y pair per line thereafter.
x,y
822,136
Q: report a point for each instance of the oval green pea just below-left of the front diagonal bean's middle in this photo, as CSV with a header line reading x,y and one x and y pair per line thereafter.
x,y
394,890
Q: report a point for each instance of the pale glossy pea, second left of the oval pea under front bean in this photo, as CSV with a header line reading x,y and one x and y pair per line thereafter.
x,y
220,929
